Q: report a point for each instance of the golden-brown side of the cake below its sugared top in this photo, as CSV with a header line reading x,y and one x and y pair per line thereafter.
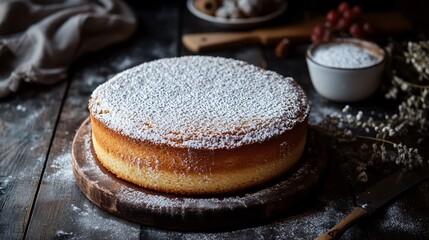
x,y
195,171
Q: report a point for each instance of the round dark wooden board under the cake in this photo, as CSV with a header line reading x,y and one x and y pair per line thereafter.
x,y
215,212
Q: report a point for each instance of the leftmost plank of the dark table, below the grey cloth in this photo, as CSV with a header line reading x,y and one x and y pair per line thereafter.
x,y
27,125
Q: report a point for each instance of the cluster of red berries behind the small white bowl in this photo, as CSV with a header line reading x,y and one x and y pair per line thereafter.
x,y
343,21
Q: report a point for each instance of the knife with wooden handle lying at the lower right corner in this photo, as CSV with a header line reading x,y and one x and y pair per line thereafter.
x,y
375,197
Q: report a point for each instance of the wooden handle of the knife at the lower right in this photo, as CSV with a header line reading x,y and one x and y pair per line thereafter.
x,y
338,230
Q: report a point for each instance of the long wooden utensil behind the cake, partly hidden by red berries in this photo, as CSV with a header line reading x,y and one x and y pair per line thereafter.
x,y
386,22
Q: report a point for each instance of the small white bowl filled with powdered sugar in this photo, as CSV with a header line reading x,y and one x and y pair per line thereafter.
x,y
345,69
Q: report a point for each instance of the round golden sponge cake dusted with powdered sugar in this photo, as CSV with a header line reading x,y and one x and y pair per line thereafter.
x,y
198,125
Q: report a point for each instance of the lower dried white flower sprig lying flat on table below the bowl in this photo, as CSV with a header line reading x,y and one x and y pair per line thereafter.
x,y
379,139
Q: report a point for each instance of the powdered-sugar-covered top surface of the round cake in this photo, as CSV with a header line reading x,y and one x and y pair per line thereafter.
x,y
199,102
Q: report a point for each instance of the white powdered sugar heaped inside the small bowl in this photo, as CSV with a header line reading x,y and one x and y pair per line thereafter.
x,y
344,55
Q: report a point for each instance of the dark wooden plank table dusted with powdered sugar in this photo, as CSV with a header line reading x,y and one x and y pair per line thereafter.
x,y
40,200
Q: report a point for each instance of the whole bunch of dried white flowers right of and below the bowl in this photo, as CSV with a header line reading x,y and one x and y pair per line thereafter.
x,y
397,137
